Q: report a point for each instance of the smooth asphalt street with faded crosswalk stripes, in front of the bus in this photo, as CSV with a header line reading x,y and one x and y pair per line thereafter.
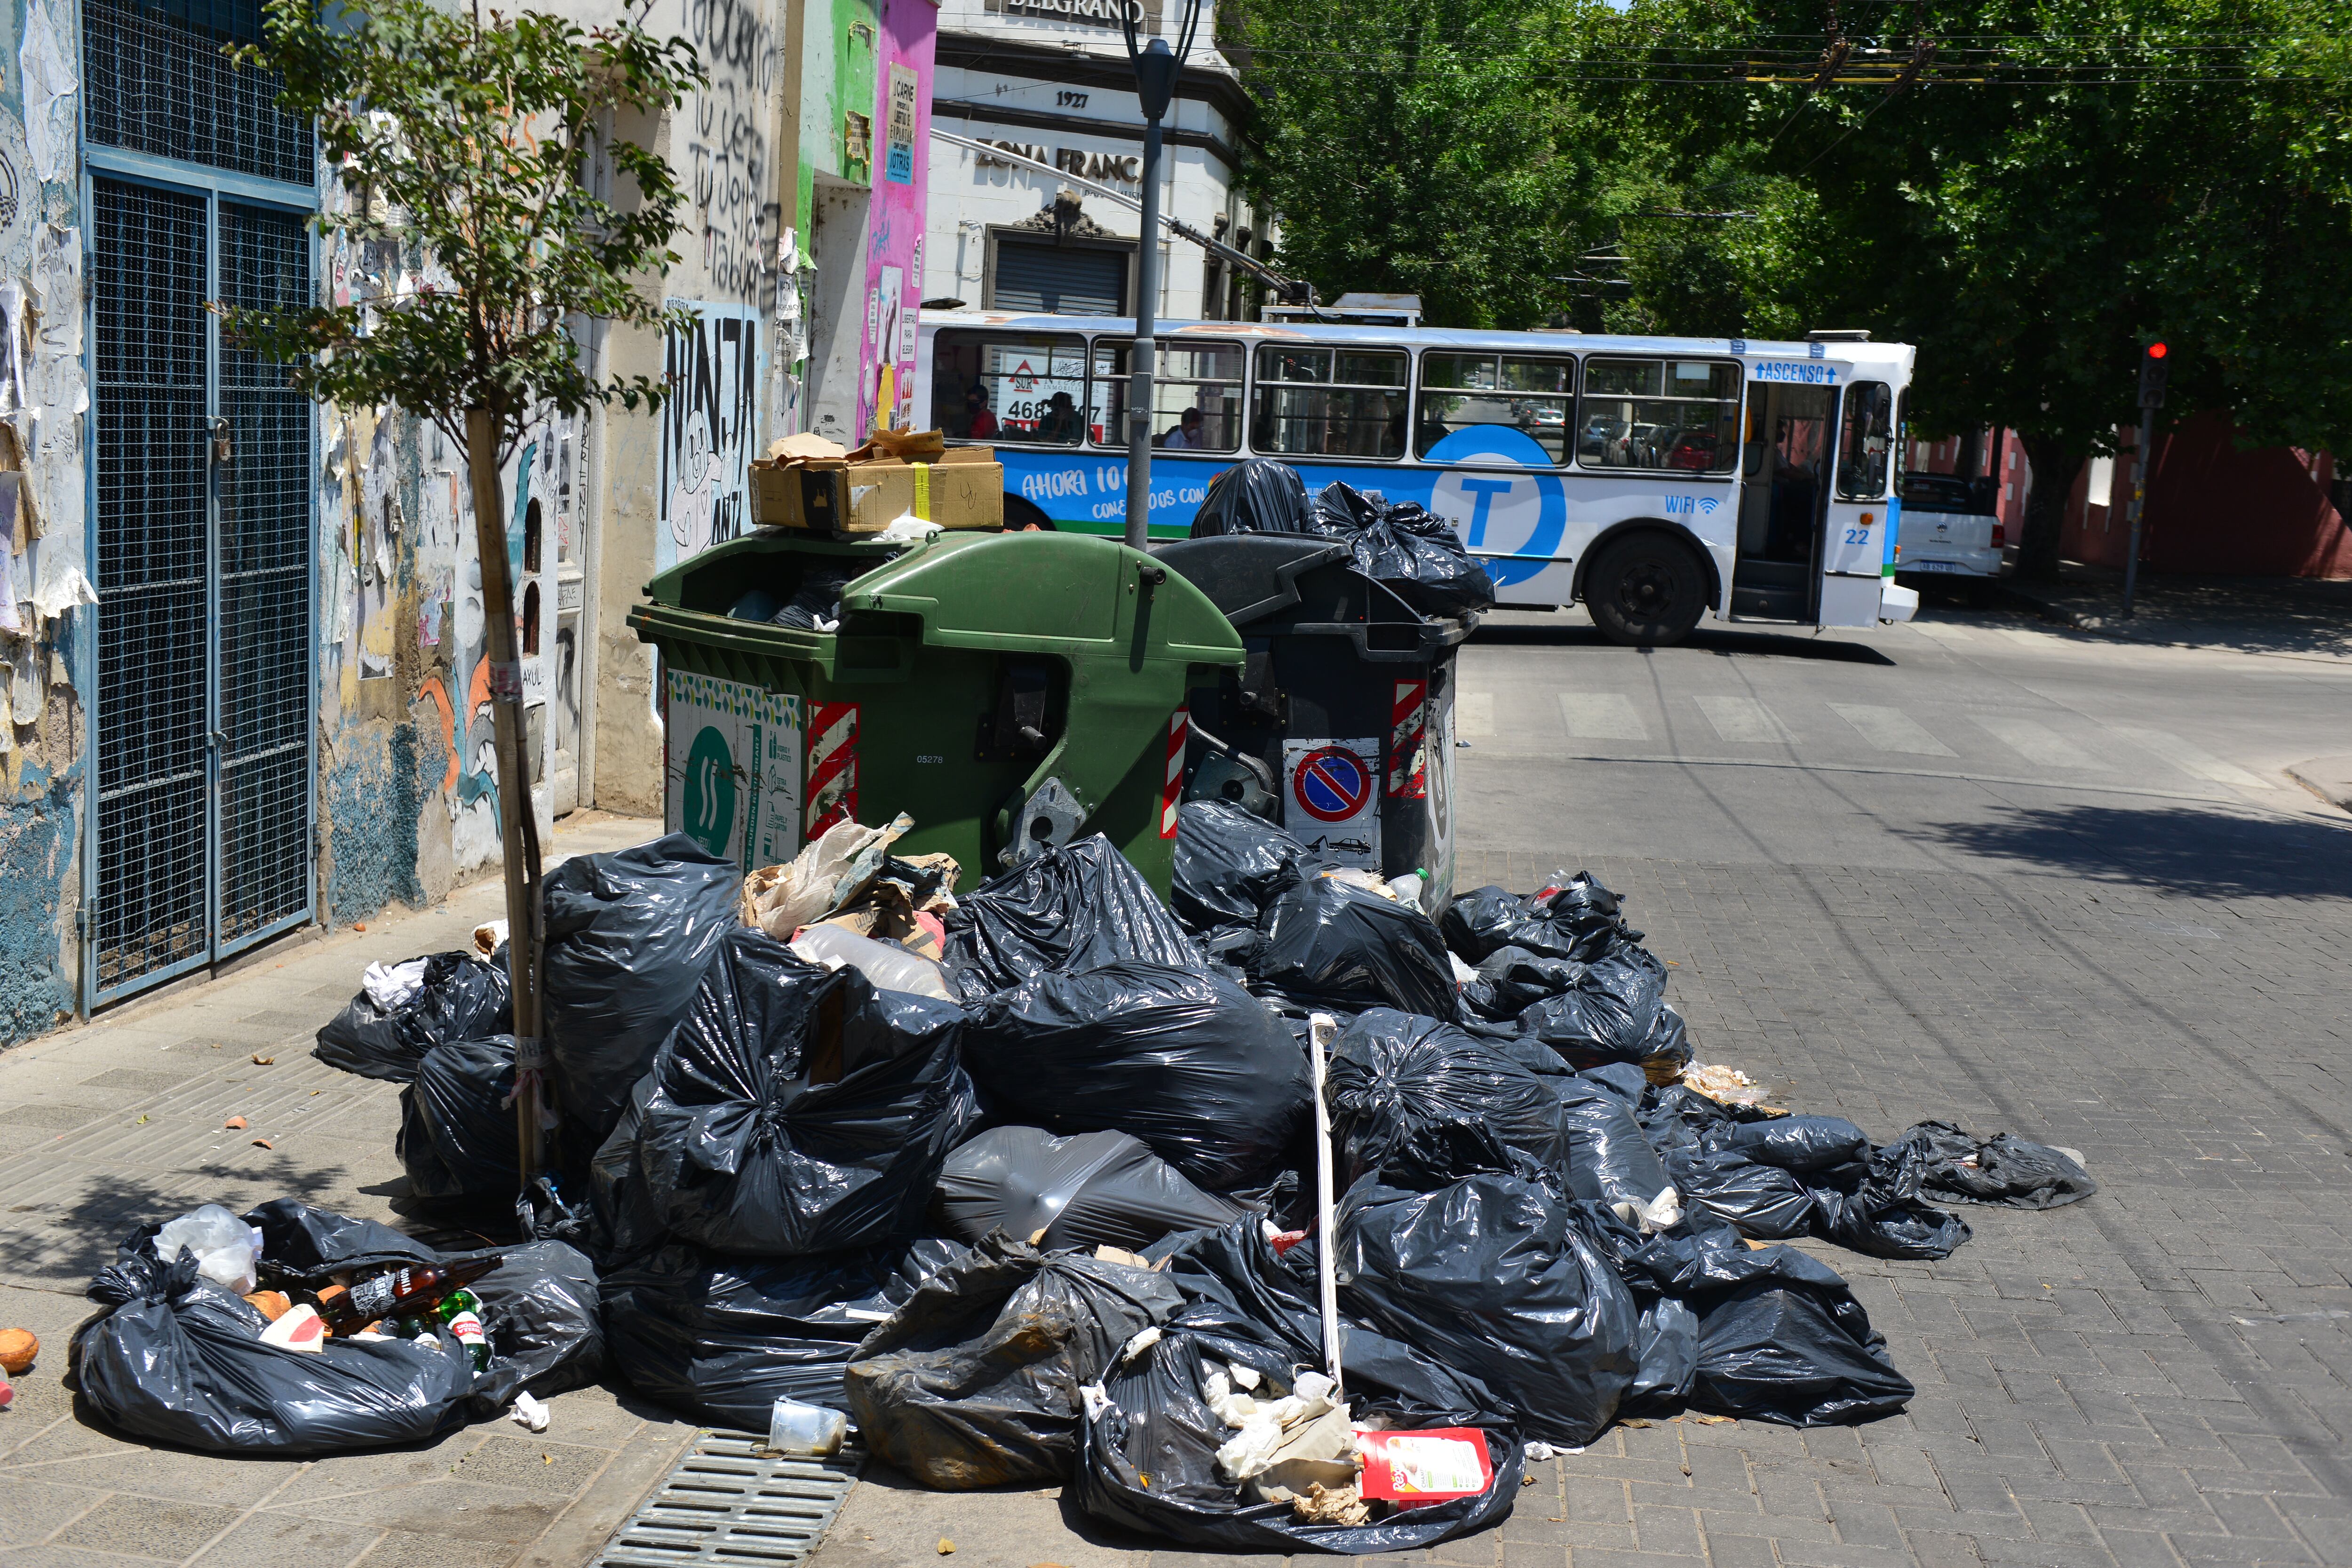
x,y
1960,742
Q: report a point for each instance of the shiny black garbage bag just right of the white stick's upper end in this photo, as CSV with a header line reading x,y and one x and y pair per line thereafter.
x,y
1424,1104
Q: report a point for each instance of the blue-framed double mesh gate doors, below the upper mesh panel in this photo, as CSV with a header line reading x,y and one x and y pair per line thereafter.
x,y
203,716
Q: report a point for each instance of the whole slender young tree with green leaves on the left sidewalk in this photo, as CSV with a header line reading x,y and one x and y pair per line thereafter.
x,y
481,149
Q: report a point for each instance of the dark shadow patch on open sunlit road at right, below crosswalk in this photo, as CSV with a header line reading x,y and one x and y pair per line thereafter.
x,y
2172,847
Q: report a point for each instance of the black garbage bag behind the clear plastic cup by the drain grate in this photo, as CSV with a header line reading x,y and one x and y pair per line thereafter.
x,y
726,1339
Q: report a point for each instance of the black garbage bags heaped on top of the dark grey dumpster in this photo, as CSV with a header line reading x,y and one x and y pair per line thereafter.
x,y
1398,544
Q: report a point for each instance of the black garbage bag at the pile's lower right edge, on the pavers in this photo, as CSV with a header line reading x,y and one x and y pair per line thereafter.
x,y
1796,1351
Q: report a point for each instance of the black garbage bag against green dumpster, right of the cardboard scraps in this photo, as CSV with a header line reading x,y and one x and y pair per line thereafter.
x,y
1071,909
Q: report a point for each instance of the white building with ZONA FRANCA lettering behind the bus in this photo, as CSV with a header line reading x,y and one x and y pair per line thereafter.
x,y
1050,79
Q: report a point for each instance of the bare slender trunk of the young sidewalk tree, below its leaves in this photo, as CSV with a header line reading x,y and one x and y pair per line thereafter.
x,y
516,824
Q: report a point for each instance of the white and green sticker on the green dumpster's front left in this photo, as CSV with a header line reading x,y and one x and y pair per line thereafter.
x,y
733,770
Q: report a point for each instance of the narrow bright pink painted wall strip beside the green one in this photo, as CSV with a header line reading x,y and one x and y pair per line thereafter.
x,y
902,166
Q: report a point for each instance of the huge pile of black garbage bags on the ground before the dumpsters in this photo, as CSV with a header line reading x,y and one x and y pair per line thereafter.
x,y
1045,1231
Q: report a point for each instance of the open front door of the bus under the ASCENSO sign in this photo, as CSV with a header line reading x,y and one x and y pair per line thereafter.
x,y
1791,424
